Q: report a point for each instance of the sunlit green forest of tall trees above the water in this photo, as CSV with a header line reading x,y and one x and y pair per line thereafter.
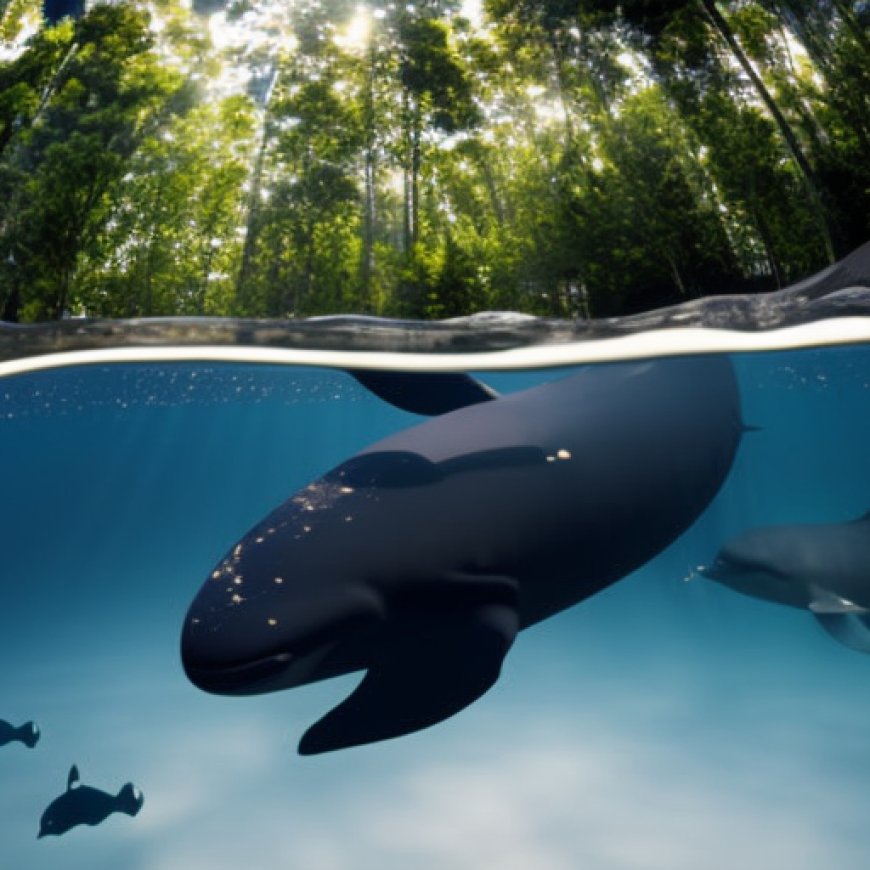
x,y
287,158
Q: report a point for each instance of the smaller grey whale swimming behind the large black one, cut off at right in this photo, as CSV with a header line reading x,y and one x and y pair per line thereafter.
x,y
822,568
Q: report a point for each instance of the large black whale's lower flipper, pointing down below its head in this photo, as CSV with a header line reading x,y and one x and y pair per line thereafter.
x,y
440,653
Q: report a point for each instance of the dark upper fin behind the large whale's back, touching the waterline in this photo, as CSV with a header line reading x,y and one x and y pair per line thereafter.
x,y
429,393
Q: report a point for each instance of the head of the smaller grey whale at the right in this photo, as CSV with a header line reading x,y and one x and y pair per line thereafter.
x,y
760,563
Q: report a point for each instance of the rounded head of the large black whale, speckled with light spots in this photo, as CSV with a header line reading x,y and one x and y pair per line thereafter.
x,y
285,606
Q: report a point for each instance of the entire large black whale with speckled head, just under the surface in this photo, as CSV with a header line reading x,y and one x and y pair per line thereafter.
x,y
421,557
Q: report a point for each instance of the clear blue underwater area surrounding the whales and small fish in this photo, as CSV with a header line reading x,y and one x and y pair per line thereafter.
x,y
666,723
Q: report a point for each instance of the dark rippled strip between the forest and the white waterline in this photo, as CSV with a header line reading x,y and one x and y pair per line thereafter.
x,y
842,290
